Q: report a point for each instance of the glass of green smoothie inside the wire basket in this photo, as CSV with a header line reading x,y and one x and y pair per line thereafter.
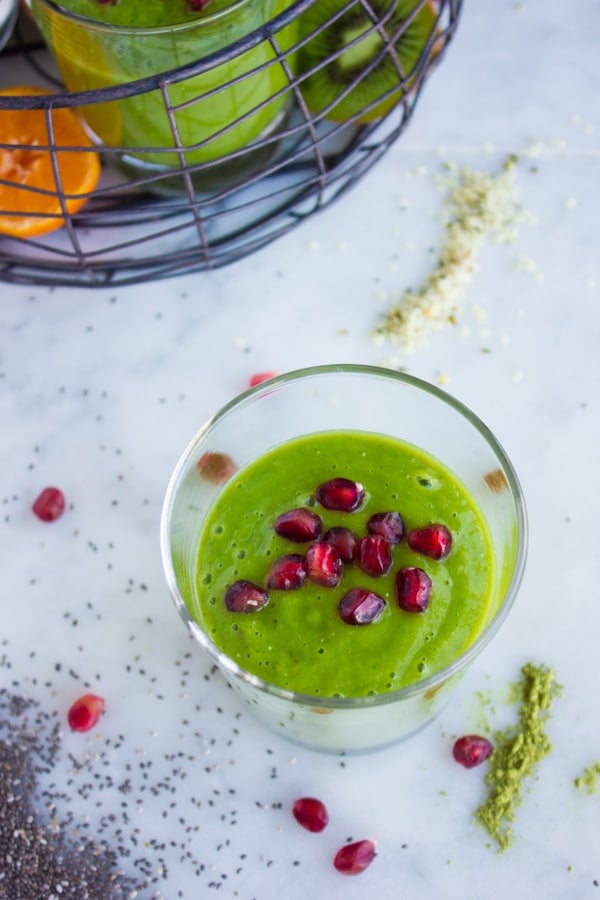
x,y
220,100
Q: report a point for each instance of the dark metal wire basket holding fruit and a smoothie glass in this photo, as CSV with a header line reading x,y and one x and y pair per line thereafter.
x,y
147,222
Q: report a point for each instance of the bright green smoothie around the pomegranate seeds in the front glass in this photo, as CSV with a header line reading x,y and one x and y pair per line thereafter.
x,y
298,641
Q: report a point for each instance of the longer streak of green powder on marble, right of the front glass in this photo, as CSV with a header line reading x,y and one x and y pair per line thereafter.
x,y
517,752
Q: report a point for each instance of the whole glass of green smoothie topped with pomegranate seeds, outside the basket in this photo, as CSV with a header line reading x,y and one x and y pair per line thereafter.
x,y
343,541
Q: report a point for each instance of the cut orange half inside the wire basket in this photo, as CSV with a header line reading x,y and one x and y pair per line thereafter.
x,y
30,197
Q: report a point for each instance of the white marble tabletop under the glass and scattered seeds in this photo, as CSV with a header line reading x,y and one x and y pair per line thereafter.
x,y
100,391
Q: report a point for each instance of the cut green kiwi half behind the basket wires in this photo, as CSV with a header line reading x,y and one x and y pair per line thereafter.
x,y
345,69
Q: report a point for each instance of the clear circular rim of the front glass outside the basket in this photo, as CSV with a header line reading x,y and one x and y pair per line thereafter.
x,y
317,701
